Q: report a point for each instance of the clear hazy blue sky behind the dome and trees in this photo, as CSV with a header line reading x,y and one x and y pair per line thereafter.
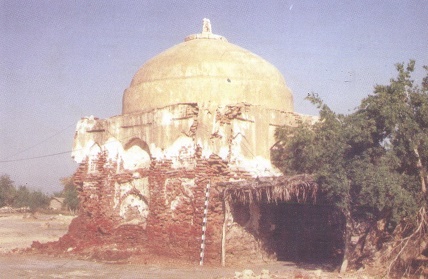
x,y
62,60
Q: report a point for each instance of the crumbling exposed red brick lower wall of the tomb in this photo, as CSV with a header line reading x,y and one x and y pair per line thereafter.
x,y
173,226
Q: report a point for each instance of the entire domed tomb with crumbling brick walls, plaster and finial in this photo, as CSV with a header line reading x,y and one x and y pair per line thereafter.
x,y
197,117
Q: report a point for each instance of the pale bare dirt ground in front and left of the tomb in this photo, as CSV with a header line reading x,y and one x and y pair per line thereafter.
x,y
18,231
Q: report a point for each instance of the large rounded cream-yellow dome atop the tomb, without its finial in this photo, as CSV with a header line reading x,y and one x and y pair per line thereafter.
x,y
205,68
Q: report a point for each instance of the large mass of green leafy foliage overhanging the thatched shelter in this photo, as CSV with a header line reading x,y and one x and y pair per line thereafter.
x,y
375,158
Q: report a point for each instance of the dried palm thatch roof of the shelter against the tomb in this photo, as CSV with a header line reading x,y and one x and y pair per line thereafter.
x,y
299,188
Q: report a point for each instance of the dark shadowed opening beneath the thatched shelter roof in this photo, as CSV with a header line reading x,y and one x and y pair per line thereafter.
x,y
302,233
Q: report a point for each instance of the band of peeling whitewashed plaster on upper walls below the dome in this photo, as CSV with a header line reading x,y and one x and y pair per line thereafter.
x,y
244,142
